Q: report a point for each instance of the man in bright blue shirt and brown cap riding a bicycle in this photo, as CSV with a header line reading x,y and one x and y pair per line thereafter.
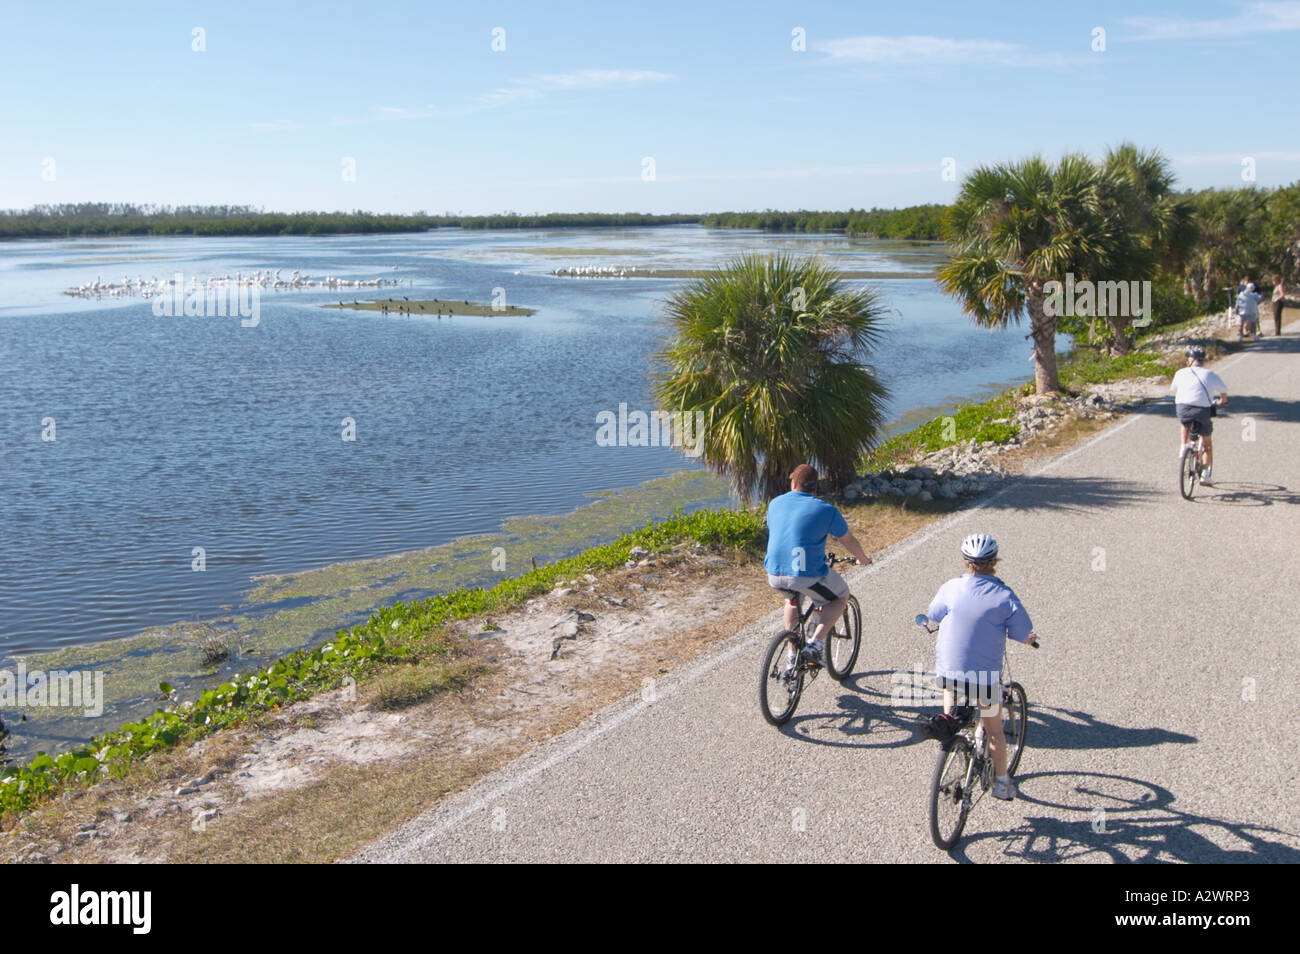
x,y
798,527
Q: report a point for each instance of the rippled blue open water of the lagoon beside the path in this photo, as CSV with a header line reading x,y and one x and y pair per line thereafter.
x,y
181,433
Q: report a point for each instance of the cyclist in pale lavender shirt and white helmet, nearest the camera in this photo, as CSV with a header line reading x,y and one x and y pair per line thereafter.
x,y
977,614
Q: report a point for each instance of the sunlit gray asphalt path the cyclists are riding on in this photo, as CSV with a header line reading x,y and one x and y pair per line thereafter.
x,y
1163,701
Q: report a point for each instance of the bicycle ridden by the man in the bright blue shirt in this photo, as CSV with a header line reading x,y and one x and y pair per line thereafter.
x,y
786,670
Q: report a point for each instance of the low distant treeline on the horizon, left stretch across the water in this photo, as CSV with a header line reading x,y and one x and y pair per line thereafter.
x,y
110,219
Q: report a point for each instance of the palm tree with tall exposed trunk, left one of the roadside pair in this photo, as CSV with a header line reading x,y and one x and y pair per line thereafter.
x,y
1013,229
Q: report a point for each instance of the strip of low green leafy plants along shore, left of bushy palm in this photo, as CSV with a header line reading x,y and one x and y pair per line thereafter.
x,y
411,635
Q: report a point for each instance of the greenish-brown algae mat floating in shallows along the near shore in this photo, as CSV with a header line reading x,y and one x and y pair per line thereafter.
x,y
285,613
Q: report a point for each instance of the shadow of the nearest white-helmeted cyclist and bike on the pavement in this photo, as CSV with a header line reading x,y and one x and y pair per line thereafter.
x,y
1125,821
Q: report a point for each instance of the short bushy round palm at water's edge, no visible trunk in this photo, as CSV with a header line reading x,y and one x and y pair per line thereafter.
x,y
770,350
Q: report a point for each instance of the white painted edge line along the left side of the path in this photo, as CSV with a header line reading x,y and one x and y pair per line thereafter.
x,y
695,673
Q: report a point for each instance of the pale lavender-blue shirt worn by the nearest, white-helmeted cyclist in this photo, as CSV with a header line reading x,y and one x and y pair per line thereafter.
x,y
976,615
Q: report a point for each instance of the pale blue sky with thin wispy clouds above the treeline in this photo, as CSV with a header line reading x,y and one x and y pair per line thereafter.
x,y
111,103
